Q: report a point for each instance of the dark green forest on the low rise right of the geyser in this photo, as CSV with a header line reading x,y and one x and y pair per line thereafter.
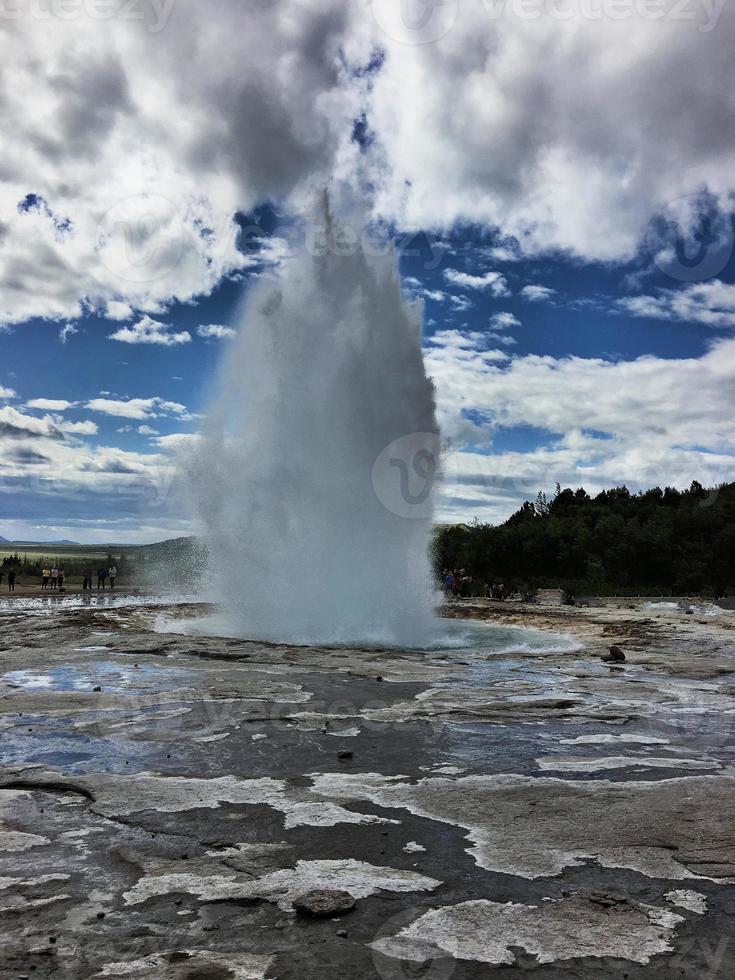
x,y
659,542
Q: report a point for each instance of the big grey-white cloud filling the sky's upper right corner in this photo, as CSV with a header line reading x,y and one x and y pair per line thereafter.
x,y
492,121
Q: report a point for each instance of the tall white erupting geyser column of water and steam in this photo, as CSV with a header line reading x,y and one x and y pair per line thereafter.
x,y
315,479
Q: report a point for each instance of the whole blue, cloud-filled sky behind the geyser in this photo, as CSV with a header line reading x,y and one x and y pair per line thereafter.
x,y
556,176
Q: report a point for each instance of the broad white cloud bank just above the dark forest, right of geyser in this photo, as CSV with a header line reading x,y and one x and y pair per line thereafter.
x,y
644,422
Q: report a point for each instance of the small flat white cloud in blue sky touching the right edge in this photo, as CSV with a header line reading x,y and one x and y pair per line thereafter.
x,y
711,303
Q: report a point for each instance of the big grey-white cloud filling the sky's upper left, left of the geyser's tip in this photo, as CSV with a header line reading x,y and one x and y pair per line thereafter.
x,y
122,173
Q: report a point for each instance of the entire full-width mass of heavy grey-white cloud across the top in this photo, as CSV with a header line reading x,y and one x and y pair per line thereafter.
x,y
122,174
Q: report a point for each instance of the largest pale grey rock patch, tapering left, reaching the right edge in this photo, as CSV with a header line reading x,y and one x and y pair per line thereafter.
x,y
537,826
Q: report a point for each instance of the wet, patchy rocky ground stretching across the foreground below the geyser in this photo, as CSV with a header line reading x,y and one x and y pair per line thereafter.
x,y
169,804
